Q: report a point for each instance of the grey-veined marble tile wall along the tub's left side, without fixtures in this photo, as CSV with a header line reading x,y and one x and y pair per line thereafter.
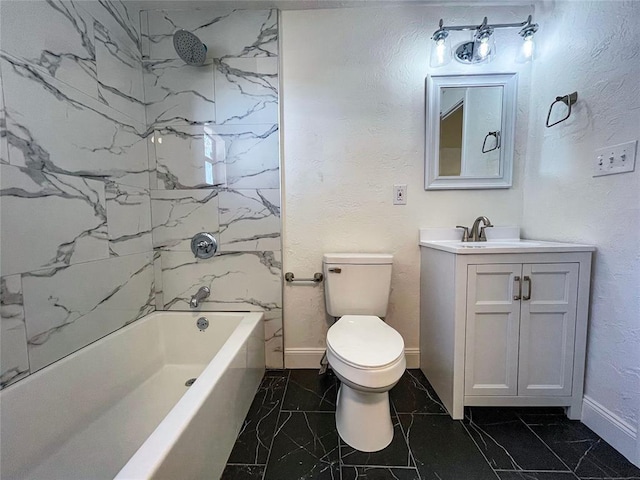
x,y
75,228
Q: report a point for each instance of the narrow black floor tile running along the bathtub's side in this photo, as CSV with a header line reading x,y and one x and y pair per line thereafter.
x,y
254,440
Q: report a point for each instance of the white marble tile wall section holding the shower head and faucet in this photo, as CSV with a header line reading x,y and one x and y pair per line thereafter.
x,y
214,161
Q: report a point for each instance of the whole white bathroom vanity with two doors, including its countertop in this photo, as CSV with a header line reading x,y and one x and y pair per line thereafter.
x,y
505,326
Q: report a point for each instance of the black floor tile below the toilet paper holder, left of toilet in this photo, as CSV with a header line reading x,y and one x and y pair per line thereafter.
x,y
309,391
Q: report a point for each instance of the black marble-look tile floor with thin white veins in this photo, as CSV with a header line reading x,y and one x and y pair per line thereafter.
x,y
290,433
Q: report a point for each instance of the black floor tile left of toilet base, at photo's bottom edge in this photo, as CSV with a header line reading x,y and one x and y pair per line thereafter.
x,y
305,446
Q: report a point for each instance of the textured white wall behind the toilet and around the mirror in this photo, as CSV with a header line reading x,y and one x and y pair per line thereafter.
x,y
353,118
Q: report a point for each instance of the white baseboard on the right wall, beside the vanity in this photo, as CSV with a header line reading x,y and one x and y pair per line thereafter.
x,y
615,431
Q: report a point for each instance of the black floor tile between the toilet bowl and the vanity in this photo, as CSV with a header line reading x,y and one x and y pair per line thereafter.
x,y
414,394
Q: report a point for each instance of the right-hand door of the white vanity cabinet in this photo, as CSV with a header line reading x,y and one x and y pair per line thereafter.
x,y
547,328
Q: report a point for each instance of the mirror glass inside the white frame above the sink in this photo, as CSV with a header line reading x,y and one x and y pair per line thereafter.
x,y
470,136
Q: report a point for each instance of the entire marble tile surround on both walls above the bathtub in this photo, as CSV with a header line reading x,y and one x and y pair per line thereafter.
x,y
114,153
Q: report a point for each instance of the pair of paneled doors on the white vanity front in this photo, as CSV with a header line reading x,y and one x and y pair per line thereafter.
x,y
520,329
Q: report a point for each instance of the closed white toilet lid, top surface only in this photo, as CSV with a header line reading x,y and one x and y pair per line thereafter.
x,y
365,341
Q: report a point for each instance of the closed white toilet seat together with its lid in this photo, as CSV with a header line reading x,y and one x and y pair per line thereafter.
x,y
366,351
